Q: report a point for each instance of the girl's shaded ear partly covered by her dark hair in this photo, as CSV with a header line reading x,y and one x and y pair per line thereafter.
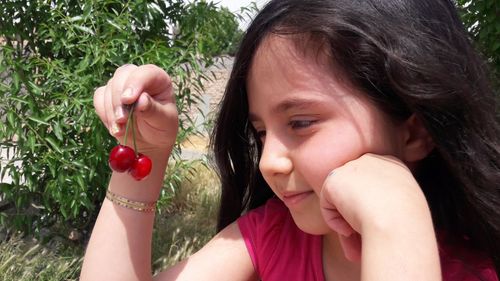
x,y
417,142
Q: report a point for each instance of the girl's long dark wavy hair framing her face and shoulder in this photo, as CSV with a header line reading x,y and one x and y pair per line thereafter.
x,y
409,57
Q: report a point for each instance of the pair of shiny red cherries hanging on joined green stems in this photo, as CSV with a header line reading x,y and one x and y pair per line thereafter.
x,y
125,159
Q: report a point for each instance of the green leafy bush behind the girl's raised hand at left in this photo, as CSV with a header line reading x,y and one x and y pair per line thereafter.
x,y
53,55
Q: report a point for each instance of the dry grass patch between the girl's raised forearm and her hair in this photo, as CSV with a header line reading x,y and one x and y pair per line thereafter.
x,y
189,221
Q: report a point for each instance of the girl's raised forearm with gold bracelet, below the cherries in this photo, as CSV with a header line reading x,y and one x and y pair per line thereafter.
x,y
120,244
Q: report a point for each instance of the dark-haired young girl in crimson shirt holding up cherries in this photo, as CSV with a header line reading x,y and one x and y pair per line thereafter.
x,y
356,140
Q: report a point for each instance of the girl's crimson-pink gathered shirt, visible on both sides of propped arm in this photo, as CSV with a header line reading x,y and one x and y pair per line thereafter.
x,y
281,251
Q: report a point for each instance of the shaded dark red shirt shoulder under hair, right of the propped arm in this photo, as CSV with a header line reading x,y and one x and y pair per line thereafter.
x,y
459,261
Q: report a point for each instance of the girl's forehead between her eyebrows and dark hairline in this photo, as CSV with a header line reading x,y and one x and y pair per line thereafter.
x,y
280,70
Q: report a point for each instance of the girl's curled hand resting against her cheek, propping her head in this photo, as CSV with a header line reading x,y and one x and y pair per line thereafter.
x,y
373,195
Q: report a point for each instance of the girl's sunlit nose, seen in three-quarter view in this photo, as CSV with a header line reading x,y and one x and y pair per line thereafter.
x,y
275,158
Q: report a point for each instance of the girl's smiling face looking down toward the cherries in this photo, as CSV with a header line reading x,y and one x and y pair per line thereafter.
x,y
310,122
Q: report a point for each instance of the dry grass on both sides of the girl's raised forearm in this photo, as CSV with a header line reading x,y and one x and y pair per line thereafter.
x,y
182,227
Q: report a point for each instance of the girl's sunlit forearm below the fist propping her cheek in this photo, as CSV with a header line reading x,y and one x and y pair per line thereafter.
x,y
406,249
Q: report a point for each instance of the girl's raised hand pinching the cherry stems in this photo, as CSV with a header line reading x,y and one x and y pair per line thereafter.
x,y
155,113
